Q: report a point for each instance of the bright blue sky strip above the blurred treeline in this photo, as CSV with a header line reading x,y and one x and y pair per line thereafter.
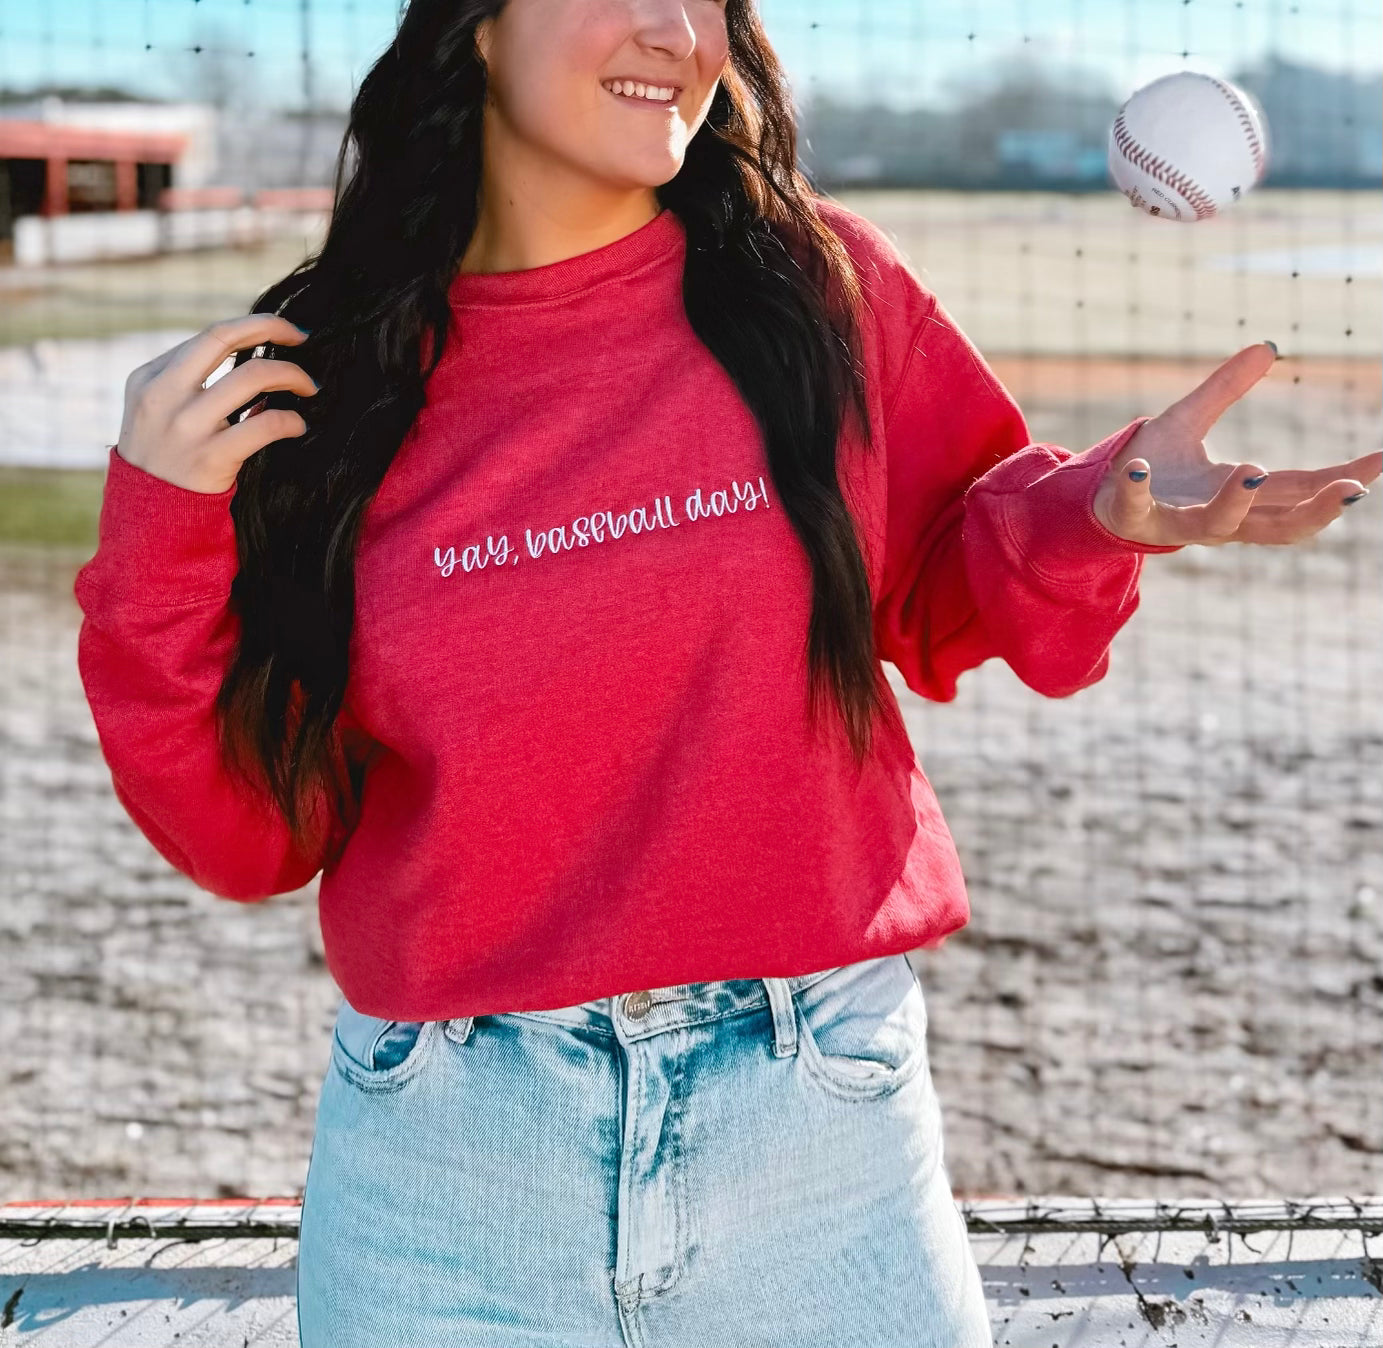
x,y
902,52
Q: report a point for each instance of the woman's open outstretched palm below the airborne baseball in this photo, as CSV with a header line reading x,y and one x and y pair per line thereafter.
x,y
1185,498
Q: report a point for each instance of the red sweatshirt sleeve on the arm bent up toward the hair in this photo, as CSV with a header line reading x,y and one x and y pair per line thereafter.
x,y
157,638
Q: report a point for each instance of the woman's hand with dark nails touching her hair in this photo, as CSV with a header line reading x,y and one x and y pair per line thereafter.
x,y
178,429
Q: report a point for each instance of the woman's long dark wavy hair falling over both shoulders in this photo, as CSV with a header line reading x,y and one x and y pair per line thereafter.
x,y
768,288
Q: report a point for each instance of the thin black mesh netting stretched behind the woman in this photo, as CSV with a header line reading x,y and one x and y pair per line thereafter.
x,y
1171,982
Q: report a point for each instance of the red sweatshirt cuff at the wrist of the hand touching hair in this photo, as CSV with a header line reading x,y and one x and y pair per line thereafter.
x,y
163,544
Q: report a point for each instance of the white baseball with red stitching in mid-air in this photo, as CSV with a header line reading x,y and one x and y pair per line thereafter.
x,y
1189,146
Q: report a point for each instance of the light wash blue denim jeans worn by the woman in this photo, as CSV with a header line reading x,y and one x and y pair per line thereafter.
x,y
727,1165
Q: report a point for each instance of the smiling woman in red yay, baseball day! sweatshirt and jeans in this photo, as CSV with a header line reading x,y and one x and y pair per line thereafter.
x,y
623,449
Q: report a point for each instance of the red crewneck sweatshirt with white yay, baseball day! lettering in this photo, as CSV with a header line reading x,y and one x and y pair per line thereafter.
x,y
580,652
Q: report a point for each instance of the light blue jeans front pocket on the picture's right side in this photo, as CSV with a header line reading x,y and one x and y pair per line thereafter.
x,y
864,1028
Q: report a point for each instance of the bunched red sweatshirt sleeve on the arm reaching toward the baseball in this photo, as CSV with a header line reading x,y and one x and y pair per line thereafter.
x,y
992,545
